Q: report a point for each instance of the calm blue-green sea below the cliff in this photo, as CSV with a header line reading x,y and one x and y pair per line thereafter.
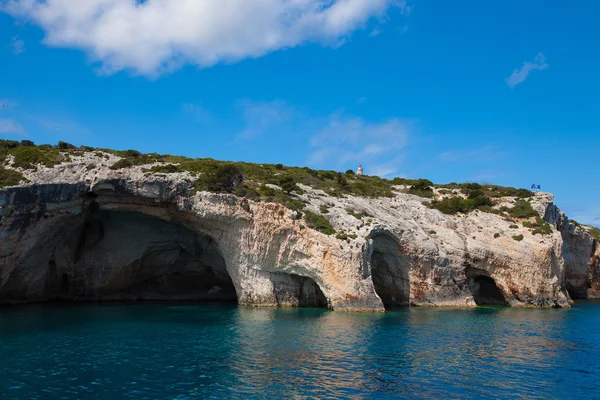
x,y
161,351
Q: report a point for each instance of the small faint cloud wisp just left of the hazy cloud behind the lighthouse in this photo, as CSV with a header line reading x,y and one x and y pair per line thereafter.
x,y
260,117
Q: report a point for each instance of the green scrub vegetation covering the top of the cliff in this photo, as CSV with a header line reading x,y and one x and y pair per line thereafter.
x,y
269,182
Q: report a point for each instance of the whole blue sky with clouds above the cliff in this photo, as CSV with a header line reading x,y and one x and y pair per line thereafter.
x,y
502,92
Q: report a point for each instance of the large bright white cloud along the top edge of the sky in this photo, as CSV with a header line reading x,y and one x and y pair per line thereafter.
x,y
157,35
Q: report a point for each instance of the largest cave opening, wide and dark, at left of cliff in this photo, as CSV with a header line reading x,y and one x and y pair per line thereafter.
x,y
131,256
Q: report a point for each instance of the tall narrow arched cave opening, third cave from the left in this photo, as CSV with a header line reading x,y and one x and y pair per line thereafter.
x,y
389,270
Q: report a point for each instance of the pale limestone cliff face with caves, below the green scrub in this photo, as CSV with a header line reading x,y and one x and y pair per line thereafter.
x,y
76,232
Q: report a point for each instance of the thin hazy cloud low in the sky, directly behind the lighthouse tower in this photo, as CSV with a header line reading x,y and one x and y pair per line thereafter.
x,y
344,142
